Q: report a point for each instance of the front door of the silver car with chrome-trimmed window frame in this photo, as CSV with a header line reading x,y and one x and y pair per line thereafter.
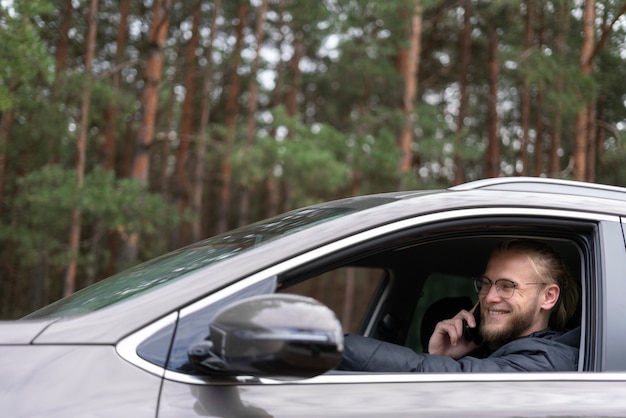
x,y
395,250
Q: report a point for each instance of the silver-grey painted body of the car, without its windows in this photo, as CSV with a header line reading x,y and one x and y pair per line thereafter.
x,y
88,364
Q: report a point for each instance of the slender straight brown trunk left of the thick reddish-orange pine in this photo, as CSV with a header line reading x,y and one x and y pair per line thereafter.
x,y
69,284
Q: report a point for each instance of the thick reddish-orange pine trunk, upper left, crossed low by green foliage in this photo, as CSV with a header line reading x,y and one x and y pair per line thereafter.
x,y
150,98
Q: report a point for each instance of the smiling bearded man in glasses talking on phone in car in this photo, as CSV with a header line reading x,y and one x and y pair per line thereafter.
x,y
525,296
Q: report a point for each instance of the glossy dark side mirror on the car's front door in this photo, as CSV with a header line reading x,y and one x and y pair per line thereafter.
x,y
276,335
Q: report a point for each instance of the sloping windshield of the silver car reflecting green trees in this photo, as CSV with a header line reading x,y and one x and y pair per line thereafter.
x,y
167,268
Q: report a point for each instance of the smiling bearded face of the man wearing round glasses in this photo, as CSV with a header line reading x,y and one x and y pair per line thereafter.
x,y
505,319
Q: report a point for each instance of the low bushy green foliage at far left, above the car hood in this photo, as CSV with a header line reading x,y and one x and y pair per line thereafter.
x,y
40,212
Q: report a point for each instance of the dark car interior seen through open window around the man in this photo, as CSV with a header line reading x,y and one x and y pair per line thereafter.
x,y
397,287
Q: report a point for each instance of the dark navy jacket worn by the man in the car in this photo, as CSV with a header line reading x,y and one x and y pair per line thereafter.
x,y
539,352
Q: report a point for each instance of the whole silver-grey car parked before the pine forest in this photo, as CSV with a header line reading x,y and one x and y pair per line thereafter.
x,y
252,322
